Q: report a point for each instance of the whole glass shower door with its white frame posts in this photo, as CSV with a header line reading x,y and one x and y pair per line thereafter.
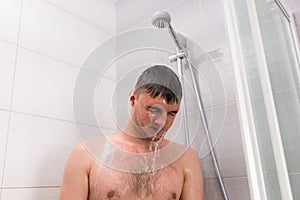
x,y
267,75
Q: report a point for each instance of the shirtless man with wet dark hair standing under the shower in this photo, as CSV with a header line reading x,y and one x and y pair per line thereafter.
x,y
137,162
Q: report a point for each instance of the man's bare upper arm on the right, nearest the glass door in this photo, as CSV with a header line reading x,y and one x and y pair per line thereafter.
x,y
193,177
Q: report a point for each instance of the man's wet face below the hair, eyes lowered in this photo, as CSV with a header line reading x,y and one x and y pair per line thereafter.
x,y
152,117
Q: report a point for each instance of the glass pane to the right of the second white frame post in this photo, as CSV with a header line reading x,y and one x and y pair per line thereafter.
x,y
283,67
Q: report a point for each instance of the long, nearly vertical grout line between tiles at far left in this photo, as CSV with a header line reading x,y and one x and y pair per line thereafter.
x,y
11,100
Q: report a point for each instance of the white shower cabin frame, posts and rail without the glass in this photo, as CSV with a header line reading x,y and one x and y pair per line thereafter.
x,y
256,180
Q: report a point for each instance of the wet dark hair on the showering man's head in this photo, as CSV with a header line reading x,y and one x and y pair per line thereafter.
x,y
160,80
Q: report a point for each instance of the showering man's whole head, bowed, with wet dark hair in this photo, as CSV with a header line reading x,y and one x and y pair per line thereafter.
x,y
155,101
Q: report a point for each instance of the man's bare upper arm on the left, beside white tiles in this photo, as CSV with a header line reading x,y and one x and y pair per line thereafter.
x,y
75,180
